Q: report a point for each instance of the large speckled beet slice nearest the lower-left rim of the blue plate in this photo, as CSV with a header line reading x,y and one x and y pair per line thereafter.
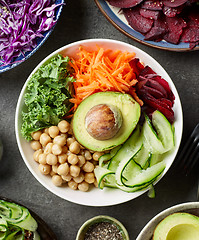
x,y
137,21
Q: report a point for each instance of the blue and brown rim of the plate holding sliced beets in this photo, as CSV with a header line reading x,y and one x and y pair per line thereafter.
x,y
100,4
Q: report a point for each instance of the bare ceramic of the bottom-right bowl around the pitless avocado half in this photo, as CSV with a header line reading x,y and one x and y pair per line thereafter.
x,y
147,232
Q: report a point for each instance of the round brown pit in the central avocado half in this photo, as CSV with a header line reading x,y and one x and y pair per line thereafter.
x,y
103,121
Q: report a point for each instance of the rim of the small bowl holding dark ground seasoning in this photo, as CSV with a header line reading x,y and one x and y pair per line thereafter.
x,y
101,218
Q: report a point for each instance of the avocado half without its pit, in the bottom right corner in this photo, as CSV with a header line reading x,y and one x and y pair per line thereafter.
x,y
178,226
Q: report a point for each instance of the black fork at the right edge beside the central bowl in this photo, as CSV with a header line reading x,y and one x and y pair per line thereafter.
x,y
189,156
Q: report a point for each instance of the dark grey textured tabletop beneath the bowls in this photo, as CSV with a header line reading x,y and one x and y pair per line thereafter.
x,y
81,19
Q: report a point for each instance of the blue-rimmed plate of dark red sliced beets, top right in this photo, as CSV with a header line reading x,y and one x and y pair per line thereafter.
x,y
165,24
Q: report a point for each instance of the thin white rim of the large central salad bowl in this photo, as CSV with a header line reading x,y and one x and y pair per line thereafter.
x,y
89,202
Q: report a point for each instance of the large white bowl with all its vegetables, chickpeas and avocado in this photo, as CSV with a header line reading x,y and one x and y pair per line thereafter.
x,y
100,117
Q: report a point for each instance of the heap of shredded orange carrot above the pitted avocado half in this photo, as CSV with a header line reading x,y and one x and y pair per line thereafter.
x,y
102,70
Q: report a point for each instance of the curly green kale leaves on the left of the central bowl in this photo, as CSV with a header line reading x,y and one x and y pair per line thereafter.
x,y
47,96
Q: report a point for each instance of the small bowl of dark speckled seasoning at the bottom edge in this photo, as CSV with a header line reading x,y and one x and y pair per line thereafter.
x,y
102,228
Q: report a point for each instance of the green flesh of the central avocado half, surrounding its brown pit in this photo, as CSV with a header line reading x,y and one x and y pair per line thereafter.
x,y
129,112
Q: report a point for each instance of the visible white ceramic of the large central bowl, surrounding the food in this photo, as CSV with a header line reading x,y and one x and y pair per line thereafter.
x,y
96,197
